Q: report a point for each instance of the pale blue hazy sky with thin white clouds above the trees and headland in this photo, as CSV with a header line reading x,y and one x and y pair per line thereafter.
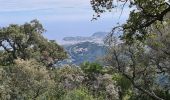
x,y
61,18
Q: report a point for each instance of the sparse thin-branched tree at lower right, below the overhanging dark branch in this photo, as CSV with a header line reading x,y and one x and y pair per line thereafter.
x,y
142,65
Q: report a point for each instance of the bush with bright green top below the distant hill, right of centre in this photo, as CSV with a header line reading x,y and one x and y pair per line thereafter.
x,y
99,82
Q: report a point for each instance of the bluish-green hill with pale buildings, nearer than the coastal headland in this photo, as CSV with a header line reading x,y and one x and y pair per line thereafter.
x,y
85,51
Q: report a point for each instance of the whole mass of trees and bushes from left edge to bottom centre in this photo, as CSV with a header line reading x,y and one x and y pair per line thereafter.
x,y
25,69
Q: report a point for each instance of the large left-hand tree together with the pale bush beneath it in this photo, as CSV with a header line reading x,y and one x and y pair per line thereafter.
x,y
25,57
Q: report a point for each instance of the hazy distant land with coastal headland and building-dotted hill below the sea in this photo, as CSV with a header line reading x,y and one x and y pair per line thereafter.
x,y
82,49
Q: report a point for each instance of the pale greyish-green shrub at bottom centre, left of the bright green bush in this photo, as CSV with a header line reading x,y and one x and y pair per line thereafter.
x,y
66,79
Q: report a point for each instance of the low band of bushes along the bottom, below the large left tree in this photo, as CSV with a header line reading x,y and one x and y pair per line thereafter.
x,y
28,79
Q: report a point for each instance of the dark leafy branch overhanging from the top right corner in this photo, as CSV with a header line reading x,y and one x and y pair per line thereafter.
x,y
145,14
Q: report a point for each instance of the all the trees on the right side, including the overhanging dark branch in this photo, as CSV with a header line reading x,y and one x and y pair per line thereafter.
x,y
144,51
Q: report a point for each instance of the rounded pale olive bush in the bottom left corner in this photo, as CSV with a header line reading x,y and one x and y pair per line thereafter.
x,y
24,80
